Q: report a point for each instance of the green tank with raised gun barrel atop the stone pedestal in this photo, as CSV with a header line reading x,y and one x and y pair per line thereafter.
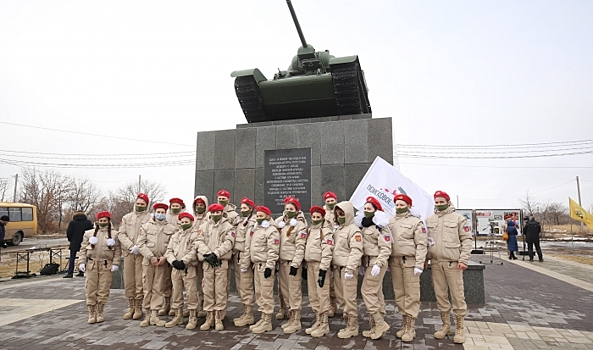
x,y
316,84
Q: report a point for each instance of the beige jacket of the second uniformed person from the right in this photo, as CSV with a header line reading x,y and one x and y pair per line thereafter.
x,y
408,238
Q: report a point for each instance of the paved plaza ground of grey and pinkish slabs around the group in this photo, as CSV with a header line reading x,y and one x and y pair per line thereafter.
x,y
527,307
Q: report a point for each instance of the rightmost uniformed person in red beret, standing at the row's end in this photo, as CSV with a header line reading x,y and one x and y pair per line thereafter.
x,y
449,258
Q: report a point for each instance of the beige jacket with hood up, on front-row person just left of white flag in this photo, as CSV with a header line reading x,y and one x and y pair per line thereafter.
x,y
347,241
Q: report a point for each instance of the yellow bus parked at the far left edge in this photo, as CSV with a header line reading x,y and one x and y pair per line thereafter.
x,y
23,221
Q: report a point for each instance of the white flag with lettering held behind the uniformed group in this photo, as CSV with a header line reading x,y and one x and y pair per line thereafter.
x,y
383,181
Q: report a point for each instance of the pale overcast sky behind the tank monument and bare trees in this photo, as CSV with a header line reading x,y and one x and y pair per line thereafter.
x,y
447,72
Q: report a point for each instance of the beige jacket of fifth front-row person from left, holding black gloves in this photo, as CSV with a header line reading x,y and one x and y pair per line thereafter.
x,y
215,237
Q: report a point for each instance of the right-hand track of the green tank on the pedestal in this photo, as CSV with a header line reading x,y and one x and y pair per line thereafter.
x,y
348,89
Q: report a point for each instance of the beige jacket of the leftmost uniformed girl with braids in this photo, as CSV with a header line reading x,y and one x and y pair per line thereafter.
x,y
101,252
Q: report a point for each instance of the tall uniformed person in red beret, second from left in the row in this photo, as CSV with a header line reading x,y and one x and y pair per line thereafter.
x,y
129,230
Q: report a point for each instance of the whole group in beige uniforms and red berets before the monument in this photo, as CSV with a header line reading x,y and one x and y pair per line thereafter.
x,y
170,251
